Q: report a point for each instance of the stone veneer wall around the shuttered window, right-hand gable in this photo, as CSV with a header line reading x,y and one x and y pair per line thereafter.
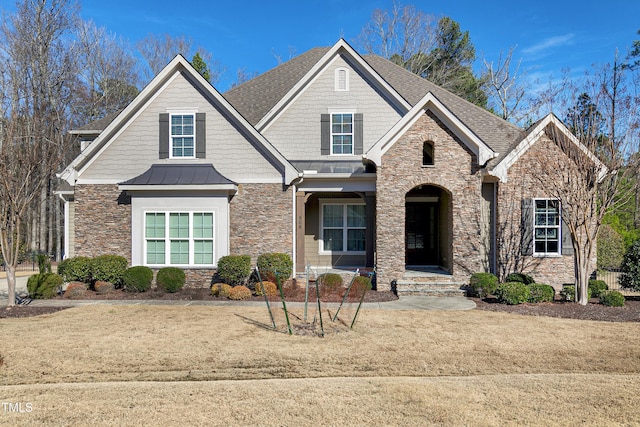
x,y
523,183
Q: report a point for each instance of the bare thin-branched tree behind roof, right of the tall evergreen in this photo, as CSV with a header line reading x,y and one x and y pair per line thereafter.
x,y
505,88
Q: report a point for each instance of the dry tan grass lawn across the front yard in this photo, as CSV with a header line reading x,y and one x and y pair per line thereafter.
x,y
167,365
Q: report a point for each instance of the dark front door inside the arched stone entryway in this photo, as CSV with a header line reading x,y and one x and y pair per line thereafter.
x,y
421,233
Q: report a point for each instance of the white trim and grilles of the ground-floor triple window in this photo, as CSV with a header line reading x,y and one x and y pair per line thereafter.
x,y
167,238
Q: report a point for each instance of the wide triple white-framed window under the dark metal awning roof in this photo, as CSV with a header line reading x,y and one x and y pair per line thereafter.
x,y
179,238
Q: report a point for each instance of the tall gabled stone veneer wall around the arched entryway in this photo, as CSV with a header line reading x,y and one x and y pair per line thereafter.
x,y
455,170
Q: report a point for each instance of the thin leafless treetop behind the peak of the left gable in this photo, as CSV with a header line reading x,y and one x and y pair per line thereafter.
x,y
159,50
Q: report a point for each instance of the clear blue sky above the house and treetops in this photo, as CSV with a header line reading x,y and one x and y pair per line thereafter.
x,y
550,35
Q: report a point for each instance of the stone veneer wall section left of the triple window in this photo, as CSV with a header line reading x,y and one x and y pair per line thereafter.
x,y
102,221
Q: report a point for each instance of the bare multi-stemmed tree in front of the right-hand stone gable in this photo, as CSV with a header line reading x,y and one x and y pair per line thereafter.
x,y
588,186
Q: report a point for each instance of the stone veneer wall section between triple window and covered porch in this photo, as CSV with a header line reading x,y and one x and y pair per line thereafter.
x,y
260,220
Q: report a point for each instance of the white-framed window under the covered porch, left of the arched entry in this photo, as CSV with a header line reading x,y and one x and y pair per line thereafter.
x,y
343,227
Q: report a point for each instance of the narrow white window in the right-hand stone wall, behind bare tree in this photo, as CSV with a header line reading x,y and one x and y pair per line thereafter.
x,y
546,227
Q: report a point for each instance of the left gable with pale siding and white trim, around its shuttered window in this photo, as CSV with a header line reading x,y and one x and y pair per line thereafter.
x,y
131,143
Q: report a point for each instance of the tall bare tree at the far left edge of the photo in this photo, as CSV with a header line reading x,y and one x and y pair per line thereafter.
x,y
38,75
